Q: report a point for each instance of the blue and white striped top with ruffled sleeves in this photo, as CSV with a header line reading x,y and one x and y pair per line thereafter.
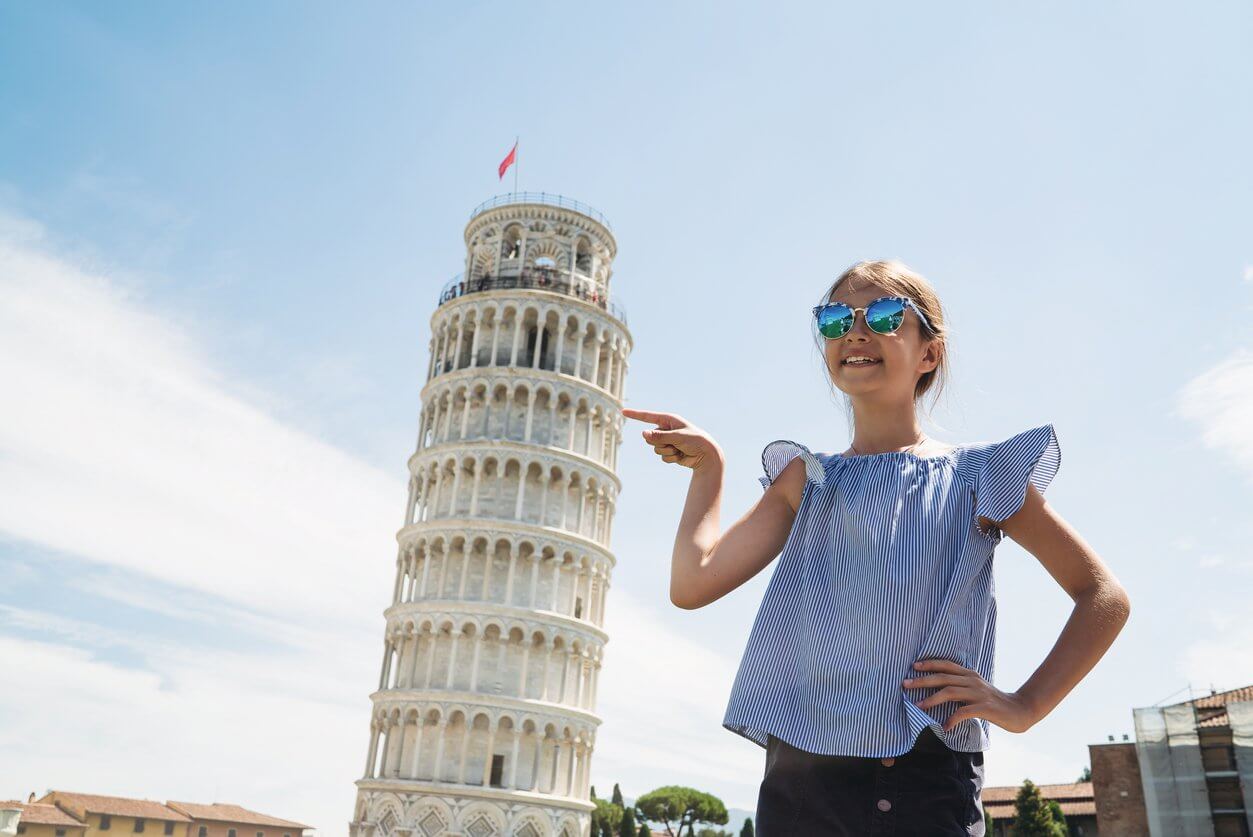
x,y
885,564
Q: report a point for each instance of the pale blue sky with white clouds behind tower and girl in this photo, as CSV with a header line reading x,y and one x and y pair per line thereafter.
x,y
224,230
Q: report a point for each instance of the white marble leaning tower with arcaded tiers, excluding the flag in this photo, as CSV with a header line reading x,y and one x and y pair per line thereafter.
x,y
484,721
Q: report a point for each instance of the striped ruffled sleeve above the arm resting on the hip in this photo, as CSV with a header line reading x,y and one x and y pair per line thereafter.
x,y
1007,468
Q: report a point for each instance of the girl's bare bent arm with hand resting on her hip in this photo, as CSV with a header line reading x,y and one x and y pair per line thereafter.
x,y
1102,608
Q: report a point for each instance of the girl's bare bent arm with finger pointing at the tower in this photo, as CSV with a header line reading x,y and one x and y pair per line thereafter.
x,y
706,564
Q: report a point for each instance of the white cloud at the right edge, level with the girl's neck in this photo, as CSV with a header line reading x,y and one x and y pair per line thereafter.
x,y
1221,402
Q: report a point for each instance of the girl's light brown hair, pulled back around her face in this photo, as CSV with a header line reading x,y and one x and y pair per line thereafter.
x,y
898,279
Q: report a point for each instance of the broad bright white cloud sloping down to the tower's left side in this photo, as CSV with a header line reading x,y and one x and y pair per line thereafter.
x,y
122,445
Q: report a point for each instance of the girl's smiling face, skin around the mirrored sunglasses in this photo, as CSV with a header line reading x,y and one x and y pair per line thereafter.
x,y
900,359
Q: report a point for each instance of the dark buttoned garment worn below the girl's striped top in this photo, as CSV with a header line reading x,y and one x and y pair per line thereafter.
x,y
930,791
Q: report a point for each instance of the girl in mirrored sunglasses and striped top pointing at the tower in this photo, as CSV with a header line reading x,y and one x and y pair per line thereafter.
x,y
868,673
